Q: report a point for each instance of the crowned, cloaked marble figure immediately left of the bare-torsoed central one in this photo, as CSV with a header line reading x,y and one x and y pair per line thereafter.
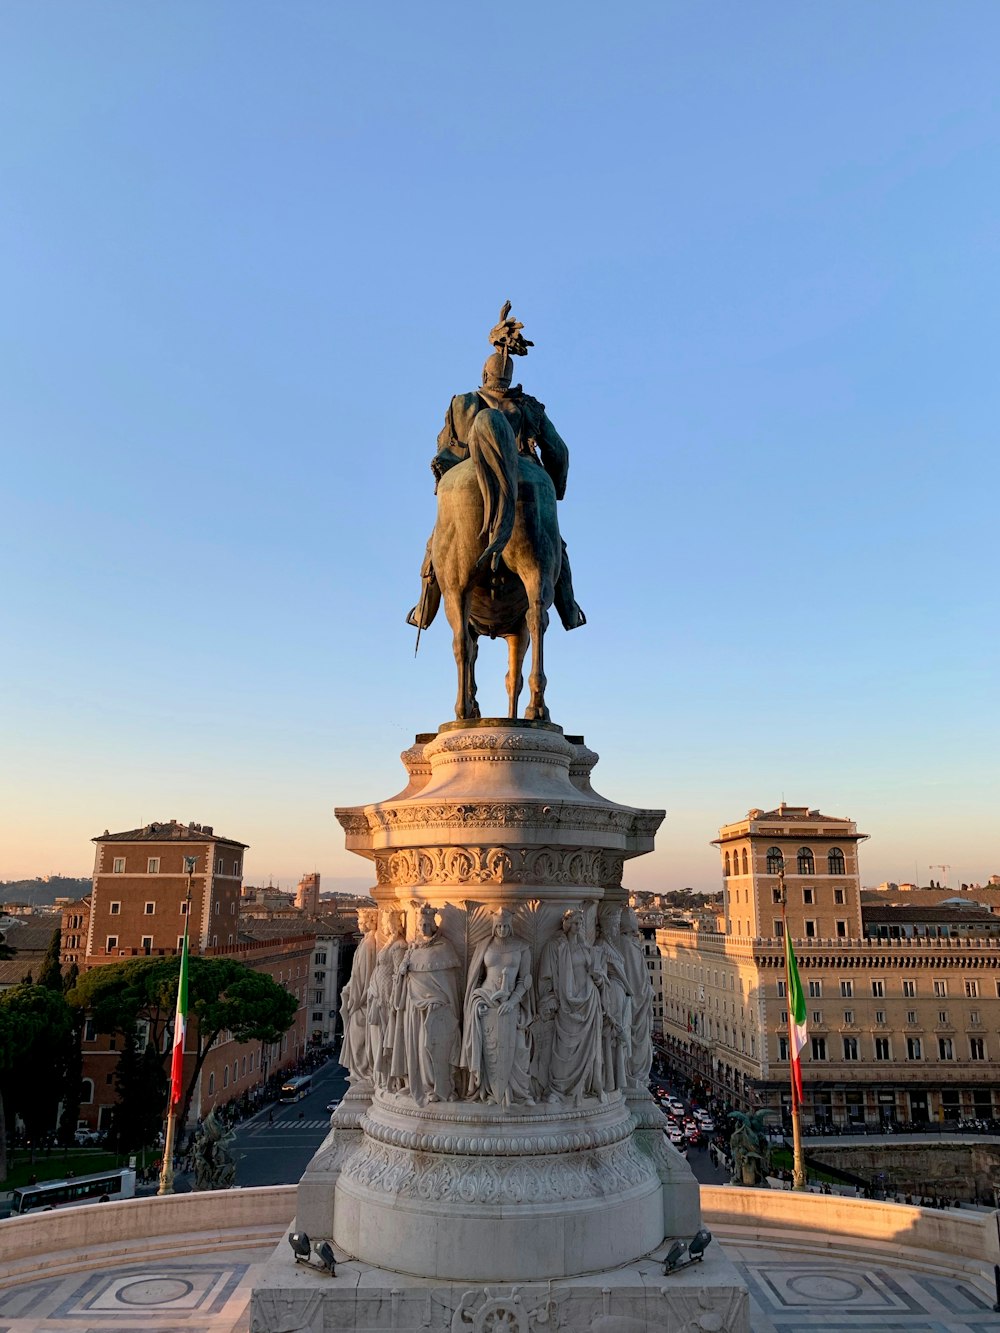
x,y
426,1046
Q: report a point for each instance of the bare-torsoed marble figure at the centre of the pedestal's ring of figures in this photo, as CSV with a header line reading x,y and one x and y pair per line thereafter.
x,y
498,1011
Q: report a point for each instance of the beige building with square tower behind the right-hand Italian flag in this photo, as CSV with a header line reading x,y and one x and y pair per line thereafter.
x,y
903,1019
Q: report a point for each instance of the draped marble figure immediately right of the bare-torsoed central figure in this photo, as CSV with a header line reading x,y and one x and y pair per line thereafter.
x,y
570,983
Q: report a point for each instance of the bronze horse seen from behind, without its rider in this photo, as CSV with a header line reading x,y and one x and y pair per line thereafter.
x,y
498,555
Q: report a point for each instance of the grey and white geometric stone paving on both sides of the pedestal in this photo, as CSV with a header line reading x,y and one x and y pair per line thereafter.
x,y
789,1295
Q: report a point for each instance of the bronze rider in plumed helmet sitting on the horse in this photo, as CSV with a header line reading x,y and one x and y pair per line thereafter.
x,y
533,431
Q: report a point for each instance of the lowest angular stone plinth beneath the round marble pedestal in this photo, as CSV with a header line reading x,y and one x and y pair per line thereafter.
x,y
707,1298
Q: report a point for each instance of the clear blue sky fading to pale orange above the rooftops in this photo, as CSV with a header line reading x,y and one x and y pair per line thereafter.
x,y
250,251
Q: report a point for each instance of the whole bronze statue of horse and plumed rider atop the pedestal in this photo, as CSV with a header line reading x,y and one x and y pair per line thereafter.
x,y
497,558
